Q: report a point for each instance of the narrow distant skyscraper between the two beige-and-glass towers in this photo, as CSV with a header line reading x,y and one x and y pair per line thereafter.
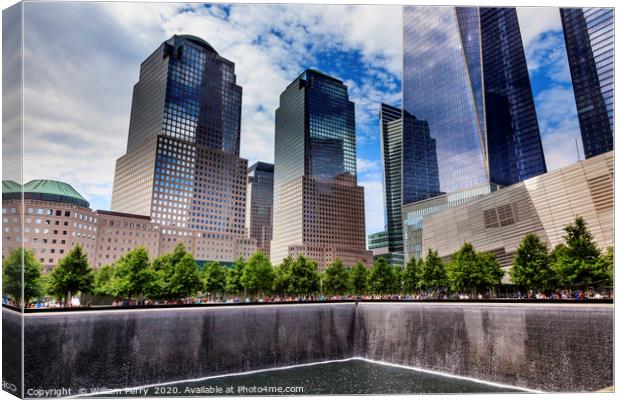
x,y
259,205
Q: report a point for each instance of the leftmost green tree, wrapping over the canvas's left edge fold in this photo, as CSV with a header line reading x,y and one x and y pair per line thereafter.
x,y
21,266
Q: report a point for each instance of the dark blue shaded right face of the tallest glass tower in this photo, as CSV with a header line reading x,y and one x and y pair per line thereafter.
x,y
514,146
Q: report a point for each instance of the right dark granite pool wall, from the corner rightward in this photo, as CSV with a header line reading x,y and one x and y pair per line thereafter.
x,y
543,347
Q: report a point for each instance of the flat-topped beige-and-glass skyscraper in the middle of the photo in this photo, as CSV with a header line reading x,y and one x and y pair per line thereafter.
x,y
318,206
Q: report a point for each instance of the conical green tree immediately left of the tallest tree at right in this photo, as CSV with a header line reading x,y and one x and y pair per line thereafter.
x,y
530,265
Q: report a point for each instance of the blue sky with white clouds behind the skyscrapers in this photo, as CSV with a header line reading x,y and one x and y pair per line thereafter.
x,y
81,61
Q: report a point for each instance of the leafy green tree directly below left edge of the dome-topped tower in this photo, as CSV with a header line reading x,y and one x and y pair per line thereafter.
x,y
133,274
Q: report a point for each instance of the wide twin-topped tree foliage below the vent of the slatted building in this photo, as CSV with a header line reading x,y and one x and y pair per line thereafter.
x,y
473,272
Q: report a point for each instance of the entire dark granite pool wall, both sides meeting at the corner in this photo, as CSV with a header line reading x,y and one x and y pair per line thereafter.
x,y
543,347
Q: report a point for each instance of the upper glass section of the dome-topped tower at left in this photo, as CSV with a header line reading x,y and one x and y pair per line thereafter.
x,y
188,92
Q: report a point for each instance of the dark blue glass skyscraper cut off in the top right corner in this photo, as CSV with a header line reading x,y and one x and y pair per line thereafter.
x,y
589,36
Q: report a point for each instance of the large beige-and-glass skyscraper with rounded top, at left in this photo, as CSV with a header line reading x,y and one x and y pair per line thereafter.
x,y
182,164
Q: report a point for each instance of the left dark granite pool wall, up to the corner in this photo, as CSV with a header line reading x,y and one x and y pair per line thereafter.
x,y
119,349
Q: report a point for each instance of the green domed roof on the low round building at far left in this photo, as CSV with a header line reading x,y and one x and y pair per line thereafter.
x,y
43,189
